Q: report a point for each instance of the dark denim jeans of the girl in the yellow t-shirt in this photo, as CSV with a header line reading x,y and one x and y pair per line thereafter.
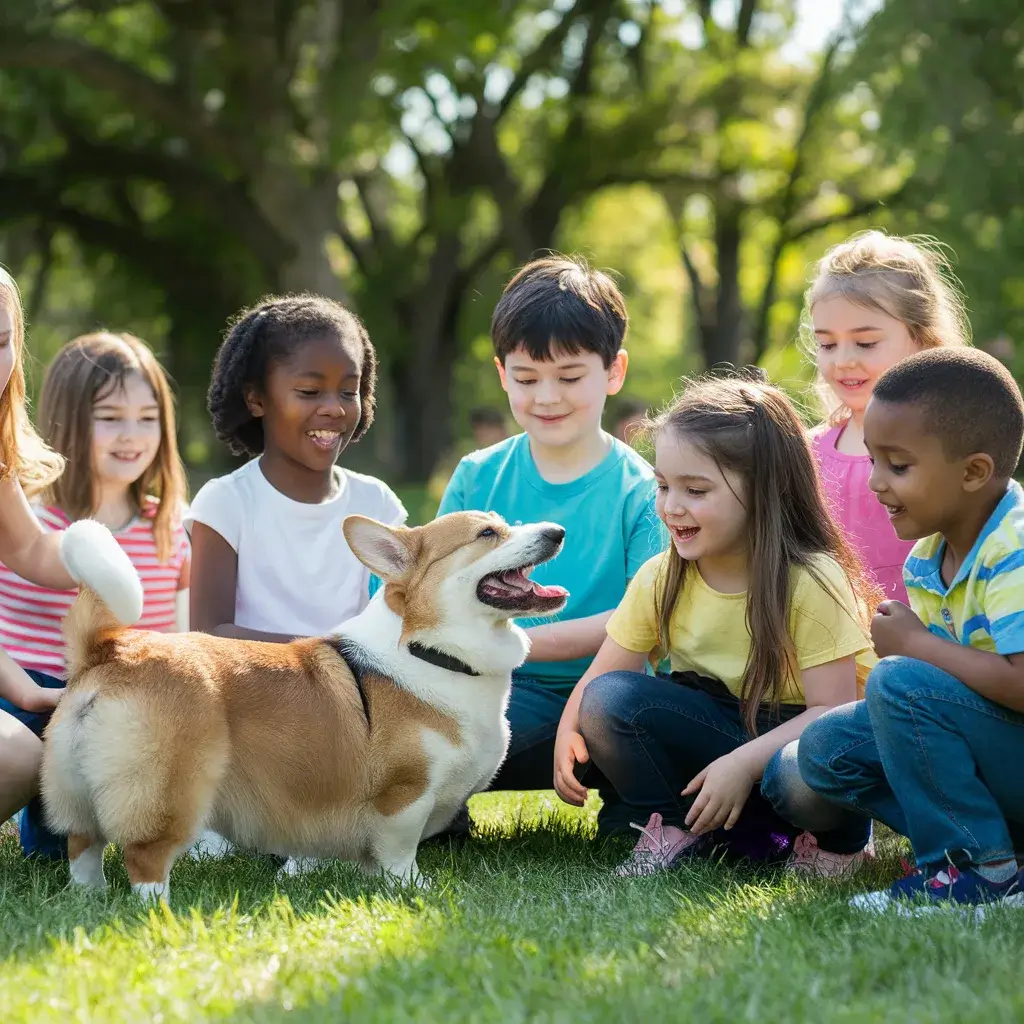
x,y
650,736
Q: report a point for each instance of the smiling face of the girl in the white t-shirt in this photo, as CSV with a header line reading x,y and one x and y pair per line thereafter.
x,y
311,403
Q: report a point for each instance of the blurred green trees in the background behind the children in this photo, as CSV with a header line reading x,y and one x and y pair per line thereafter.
x,y
164,163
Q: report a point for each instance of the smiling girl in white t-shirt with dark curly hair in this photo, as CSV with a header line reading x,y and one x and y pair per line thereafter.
x,y
293,385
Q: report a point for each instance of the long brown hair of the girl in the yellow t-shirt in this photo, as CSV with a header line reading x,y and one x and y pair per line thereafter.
x,y
749,428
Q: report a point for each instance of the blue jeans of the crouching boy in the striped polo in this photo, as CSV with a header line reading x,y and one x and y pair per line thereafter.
x,y
928,756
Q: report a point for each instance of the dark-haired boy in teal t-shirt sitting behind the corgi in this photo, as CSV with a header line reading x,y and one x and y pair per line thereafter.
x,y
559,333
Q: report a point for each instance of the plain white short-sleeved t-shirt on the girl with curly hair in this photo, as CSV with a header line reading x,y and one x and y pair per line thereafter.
x,y
296,574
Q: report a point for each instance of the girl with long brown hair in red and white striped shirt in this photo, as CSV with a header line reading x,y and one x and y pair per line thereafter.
x,y
107,408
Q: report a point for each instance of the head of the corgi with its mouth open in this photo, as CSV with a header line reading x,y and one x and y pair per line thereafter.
x,y
463,570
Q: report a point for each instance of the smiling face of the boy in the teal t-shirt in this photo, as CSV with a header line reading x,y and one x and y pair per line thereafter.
x,y
560,402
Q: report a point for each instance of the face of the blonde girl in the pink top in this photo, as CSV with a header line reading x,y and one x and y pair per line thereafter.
x,y
857,346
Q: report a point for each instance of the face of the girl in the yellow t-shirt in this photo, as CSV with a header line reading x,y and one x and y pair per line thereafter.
x,y
700,503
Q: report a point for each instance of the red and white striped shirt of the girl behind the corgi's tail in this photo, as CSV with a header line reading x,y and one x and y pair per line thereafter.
x,y
31,616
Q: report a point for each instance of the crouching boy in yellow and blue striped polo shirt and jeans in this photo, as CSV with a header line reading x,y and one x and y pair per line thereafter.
x,y
936,751
